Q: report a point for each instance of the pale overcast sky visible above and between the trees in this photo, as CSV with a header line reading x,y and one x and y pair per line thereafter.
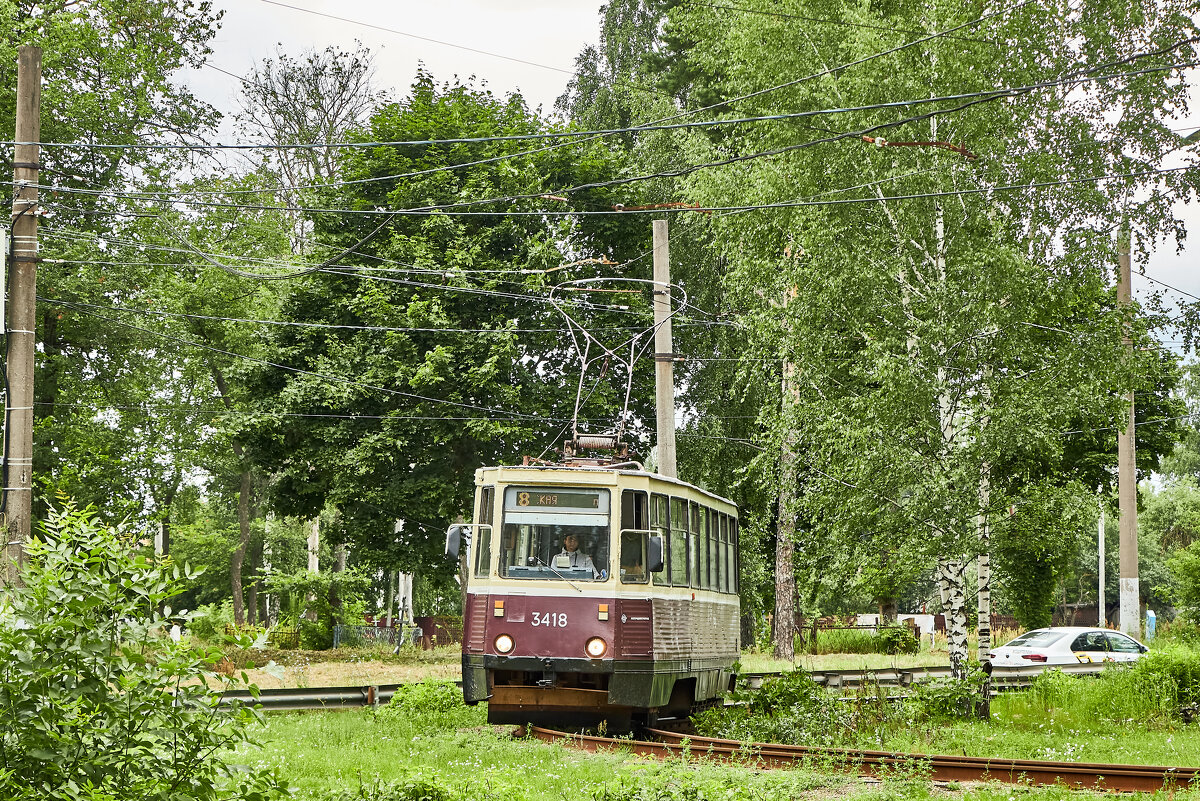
x,y
527,46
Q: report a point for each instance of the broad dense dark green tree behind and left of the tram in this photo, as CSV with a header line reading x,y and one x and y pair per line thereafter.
x,y
429,347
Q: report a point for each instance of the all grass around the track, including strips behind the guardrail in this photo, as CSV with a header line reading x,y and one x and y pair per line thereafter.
x,y
428,745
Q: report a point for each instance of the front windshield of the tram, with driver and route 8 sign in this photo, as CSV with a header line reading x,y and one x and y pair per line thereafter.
x,y
560,533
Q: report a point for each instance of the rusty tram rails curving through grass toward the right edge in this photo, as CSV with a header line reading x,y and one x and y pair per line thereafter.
x,y
1125,779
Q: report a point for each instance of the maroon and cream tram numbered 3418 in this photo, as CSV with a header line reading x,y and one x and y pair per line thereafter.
x,y
634,618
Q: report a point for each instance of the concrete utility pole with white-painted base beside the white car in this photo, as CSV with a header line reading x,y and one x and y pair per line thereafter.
x,y
1127,477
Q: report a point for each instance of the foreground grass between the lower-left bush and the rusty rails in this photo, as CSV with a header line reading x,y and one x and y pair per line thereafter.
x,y
323,755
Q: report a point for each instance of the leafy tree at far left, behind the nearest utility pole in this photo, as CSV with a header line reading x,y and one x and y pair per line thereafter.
x,y
109,71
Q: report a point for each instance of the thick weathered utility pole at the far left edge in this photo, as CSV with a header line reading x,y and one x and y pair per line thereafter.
x,y
19,490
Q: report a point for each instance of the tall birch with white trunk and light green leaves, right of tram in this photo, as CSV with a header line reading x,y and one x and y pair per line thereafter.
x,y
971,317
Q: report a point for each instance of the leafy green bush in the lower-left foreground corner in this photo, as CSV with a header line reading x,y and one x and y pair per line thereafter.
x,y
98,702
